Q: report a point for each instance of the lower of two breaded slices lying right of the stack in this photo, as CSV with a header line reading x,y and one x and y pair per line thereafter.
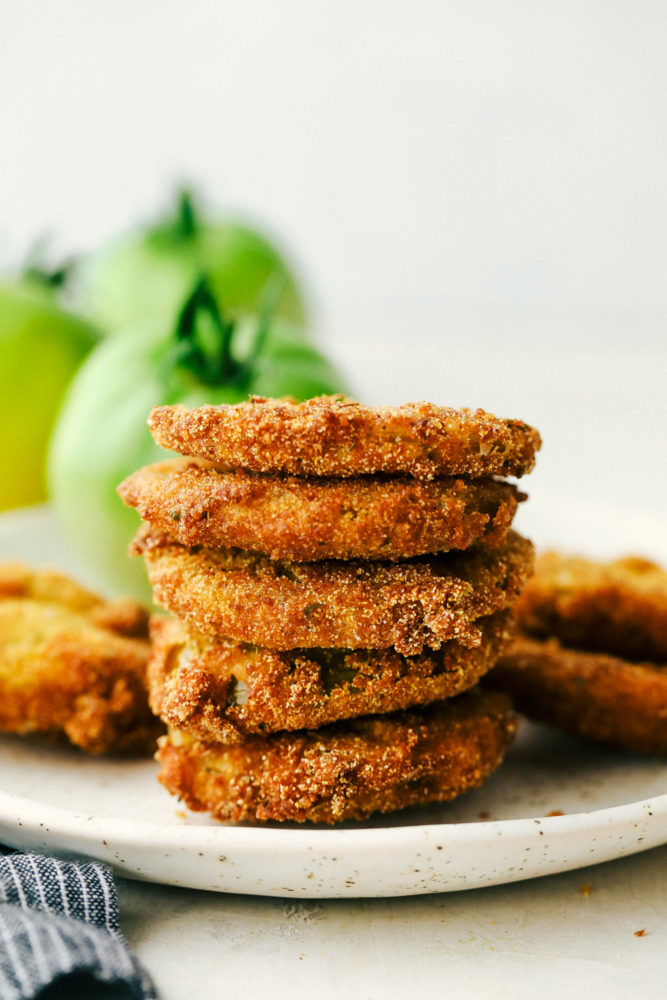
x,y
599,697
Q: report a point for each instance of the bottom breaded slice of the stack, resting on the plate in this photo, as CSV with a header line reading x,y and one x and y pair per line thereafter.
x,y
345,771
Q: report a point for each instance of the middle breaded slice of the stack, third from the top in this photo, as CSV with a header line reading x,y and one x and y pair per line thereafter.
x,y
351,605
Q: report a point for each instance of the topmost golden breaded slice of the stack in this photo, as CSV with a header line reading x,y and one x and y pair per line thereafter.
x,y
336,436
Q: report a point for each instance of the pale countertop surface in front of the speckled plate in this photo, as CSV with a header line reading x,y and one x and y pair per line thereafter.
x,y
564,935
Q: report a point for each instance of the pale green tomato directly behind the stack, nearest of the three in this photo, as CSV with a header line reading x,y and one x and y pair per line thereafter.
x,y
102,435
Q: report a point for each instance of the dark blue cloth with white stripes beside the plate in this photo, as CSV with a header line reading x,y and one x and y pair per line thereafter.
x,y
59,925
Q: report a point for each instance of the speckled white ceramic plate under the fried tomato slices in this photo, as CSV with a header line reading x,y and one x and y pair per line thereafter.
x,y
612,804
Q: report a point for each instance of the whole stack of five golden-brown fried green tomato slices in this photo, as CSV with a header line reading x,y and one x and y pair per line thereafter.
x,y
338,578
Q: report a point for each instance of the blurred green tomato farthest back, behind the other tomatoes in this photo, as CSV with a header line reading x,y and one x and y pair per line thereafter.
x,y
149,273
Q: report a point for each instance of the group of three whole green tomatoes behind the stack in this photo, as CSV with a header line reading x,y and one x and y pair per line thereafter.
x,y
193,310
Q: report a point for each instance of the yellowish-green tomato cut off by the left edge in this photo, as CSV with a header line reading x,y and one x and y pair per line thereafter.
x,y
41,346
